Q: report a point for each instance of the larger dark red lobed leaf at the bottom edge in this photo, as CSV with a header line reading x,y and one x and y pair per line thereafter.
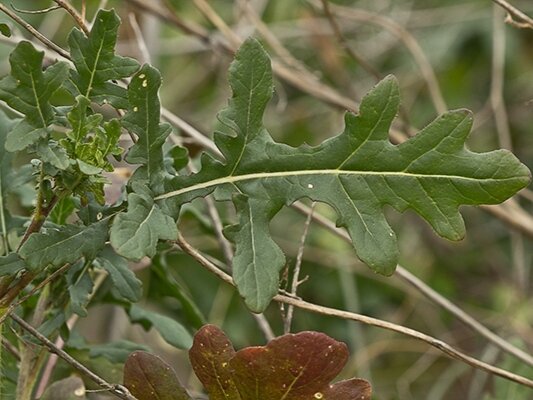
x,y
291,367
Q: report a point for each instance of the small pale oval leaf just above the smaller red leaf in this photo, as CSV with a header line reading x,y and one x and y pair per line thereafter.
x,y
172,331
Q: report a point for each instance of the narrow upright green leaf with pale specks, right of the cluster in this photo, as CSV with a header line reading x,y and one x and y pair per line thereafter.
x,y
143,119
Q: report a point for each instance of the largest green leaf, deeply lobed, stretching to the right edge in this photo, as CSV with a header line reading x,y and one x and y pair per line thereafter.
x,y
357,172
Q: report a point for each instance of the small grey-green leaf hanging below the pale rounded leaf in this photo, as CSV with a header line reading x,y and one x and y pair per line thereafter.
x,y
123,278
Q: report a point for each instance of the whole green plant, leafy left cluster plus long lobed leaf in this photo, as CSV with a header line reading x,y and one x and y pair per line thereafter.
x,y
358,172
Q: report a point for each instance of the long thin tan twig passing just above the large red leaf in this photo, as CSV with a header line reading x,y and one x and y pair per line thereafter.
x,y
432,341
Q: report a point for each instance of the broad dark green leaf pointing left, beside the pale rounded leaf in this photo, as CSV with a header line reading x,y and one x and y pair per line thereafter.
x,y
65,245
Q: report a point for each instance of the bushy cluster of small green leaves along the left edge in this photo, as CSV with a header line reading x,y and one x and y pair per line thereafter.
x,y
71,148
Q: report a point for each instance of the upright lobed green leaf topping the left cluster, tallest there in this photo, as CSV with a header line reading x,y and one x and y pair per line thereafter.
x,y
96,63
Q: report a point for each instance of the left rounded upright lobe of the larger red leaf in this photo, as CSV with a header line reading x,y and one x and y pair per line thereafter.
x,y
210,355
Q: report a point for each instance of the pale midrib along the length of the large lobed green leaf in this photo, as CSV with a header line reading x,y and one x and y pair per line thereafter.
x,y
335,172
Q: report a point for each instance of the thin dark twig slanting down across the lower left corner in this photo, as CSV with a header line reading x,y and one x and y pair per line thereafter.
x,y
118,390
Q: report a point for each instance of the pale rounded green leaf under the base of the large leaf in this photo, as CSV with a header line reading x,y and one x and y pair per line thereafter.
x,y
135,233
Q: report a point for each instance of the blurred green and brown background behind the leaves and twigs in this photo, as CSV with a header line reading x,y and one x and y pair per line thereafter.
x,y
488,274
